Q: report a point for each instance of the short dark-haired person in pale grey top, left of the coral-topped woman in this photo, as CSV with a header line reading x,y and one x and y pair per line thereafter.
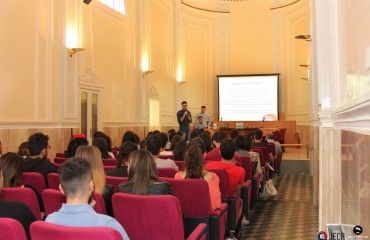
x,y
153,144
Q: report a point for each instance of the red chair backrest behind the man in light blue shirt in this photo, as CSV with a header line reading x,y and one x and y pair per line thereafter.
x,y
44,231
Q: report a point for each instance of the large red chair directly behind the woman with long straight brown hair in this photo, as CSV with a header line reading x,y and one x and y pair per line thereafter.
x,y
152,217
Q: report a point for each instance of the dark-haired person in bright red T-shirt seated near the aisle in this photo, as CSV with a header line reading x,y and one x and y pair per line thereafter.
x,y
236,174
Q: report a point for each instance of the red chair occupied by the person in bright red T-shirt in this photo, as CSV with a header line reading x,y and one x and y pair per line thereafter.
x,y
233,201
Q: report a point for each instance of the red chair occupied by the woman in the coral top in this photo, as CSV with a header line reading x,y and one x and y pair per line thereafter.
x,y
191,191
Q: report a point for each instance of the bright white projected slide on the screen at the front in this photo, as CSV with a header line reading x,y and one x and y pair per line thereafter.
x,y
248,97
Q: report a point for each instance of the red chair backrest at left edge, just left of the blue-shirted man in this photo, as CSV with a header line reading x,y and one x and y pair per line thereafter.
x,y
24,195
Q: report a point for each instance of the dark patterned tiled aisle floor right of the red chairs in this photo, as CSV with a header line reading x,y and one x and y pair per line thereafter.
x,y
288,215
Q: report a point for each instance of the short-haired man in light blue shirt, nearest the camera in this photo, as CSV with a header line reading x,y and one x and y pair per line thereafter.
x,y
77,184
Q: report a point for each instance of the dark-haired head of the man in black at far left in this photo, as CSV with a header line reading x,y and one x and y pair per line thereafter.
x,y
38,144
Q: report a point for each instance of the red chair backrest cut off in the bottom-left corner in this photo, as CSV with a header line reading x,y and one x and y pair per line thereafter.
x,y
11,229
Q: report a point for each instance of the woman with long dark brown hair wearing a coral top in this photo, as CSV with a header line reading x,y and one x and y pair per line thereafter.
x,y
194,168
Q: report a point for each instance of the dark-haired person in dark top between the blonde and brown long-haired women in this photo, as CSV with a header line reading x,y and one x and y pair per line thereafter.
x,y
122,162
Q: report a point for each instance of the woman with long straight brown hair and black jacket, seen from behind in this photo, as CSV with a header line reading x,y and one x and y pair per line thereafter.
x,y
143,178
